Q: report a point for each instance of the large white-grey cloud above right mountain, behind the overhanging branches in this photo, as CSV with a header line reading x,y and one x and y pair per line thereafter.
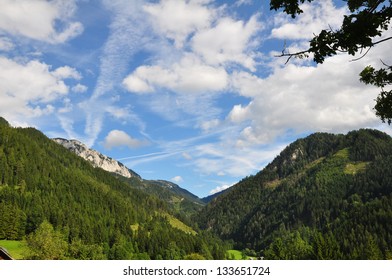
x,y
303,97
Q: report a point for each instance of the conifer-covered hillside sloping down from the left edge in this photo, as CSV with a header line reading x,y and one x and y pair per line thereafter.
x,y
67,209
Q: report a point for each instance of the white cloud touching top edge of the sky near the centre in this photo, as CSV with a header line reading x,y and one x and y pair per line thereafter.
x,y
178,19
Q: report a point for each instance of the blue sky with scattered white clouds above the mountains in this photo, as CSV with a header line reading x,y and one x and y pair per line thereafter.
x,y
190,91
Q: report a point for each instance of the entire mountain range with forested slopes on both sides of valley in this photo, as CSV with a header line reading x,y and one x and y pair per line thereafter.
x,y
326,196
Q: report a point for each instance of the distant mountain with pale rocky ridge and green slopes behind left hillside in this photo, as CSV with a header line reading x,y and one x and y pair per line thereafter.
x,y
181,200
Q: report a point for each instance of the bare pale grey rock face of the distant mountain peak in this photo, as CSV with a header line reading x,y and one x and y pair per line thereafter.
x,y
96,158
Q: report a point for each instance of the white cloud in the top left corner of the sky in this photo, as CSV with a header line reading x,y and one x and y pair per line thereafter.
x,y
48,21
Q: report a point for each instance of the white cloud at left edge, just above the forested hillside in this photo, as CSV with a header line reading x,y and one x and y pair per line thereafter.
x,y
27,89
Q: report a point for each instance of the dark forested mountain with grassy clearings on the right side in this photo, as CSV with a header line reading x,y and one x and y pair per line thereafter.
x,y
324,197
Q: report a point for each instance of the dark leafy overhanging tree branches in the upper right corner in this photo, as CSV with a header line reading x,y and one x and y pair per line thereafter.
x,y
362,29
